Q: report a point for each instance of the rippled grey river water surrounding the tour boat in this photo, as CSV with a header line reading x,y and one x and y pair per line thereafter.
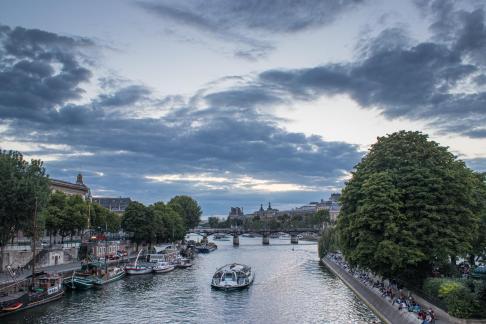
x,y
290,287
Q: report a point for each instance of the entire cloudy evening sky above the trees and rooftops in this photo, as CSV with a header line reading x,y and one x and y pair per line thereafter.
x,y
235,103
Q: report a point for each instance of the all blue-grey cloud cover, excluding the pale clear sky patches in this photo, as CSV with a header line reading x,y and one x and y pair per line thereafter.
x,y
223,144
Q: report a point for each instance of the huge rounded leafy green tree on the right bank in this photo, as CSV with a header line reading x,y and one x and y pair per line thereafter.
x,y
409,206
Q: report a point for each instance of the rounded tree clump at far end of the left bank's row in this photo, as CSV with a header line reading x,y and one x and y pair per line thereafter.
x,y
161,222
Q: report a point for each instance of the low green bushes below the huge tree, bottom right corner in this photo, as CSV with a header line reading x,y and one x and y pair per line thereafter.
x,y
460,300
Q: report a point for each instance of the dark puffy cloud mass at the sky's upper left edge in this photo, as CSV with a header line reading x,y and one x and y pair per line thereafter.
x,y
39,72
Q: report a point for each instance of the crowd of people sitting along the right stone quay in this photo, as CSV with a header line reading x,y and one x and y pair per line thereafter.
x,y
387,289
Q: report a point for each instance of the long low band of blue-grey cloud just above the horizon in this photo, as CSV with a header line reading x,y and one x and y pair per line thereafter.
x,y
222,145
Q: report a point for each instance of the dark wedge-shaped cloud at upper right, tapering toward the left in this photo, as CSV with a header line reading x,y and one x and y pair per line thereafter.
x,y
417,81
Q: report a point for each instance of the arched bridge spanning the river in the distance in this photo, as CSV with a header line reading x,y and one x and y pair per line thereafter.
x,y
265,233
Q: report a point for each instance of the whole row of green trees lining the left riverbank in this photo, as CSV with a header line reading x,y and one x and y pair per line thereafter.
x,y
24,189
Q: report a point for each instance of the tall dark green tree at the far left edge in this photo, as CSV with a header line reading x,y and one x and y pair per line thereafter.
x,y
23,186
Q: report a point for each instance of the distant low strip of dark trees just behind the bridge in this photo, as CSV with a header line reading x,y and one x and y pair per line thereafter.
x,y
274,223
